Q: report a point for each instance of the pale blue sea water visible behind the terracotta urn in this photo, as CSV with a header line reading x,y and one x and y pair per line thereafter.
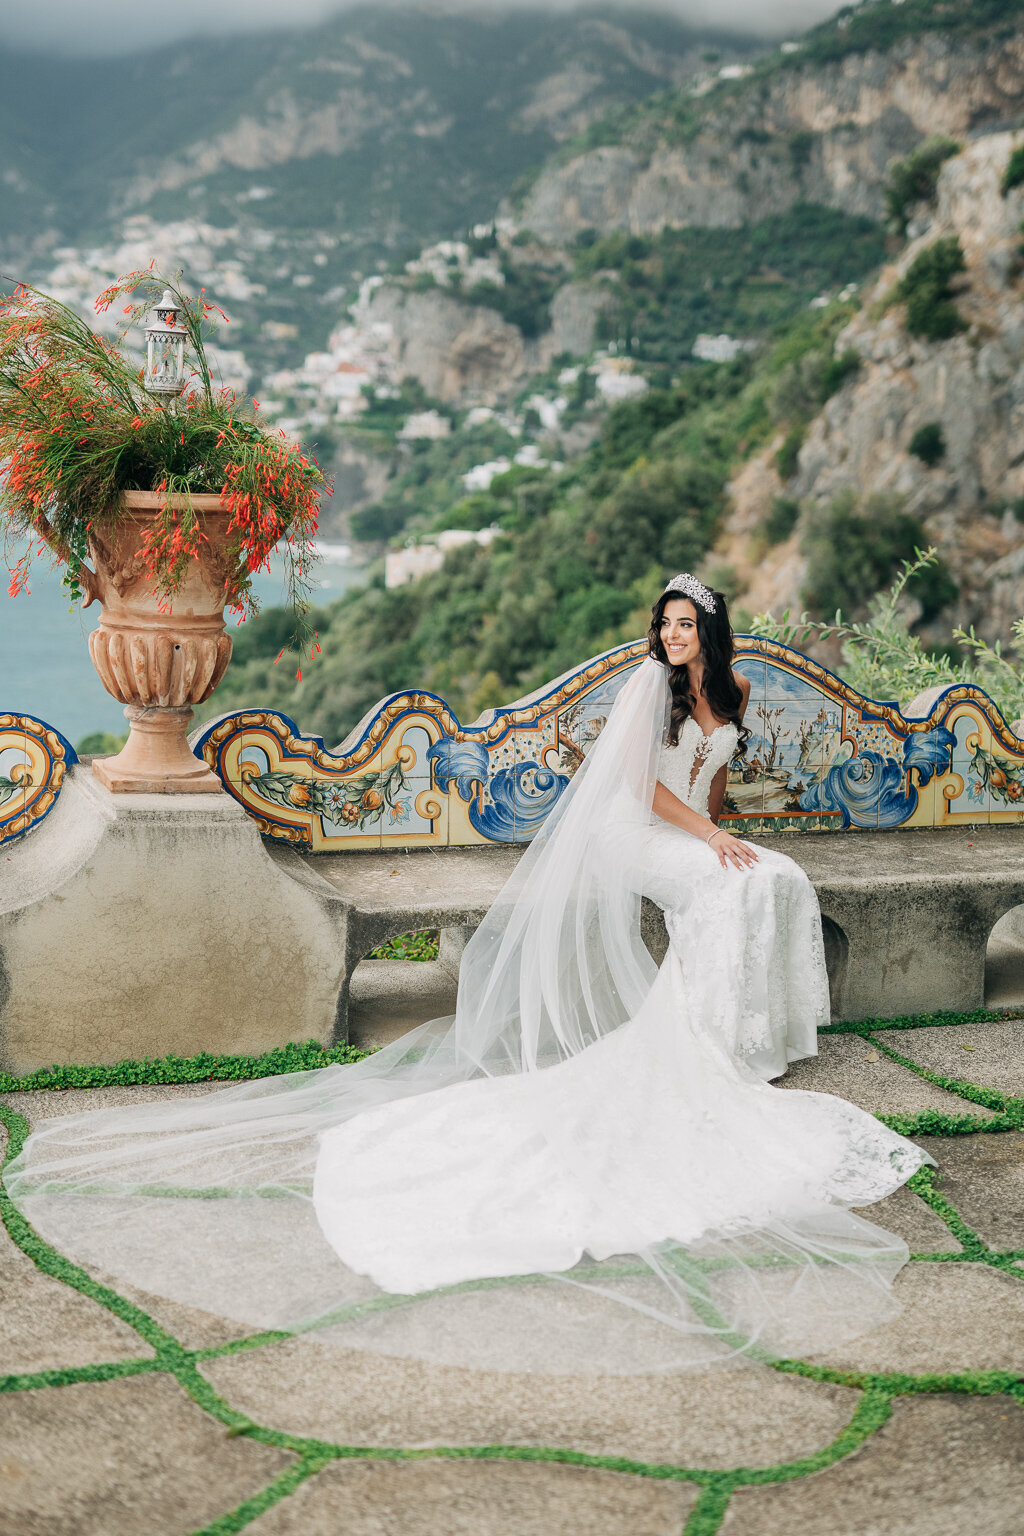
x,y
45,647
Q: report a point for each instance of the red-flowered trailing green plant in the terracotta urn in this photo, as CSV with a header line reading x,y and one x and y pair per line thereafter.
x,y
78,428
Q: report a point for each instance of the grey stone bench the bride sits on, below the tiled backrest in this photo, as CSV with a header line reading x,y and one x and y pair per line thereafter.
x,y
907,916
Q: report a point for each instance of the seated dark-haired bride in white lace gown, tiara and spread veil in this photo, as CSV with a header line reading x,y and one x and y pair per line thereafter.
x,y
587,1168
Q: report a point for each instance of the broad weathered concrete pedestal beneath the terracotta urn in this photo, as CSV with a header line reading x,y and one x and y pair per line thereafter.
x,y
142,925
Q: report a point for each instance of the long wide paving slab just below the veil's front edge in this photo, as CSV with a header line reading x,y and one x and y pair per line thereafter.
x,y
704,1420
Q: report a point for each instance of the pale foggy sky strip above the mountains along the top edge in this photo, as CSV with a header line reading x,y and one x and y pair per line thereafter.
x,y
108,27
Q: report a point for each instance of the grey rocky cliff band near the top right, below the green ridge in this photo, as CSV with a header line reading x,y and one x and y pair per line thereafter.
x,y
807,133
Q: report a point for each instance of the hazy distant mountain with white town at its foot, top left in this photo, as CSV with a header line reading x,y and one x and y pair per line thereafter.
x,y
306,159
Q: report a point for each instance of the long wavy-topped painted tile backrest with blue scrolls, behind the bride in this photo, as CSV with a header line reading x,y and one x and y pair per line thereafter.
x,y
819,758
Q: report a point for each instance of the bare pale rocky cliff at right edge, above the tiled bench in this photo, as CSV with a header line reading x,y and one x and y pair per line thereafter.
x,y
971,386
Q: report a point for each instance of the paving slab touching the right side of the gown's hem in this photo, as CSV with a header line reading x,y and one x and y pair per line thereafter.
x,y
853,1068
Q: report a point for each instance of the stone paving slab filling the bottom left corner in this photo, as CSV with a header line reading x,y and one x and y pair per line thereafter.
x,y
122,1458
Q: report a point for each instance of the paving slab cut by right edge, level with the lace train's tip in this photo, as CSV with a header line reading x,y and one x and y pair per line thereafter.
x,y
983,1177
